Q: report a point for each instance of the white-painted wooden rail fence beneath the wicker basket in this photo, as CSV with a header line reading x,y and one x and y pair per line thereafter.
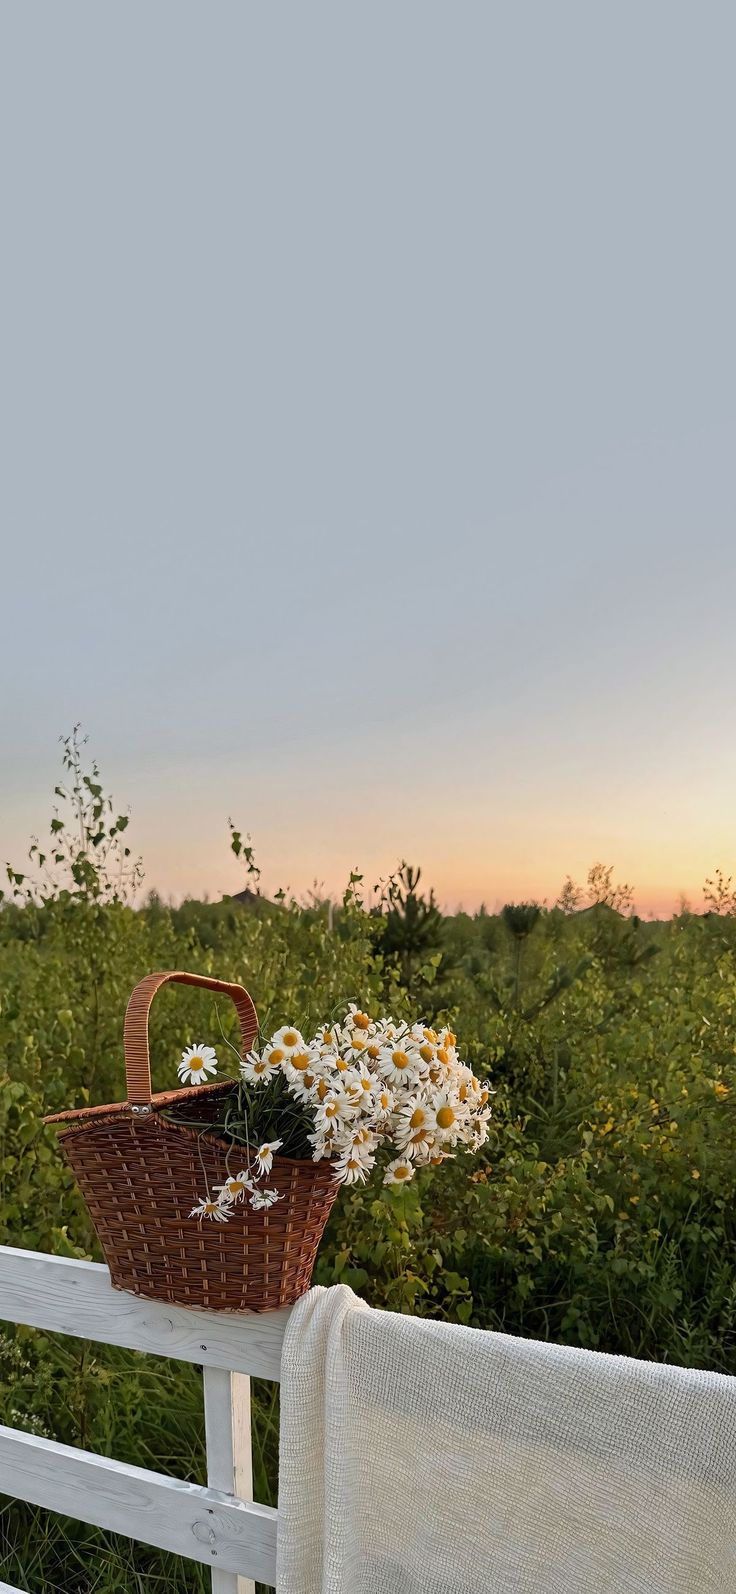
x,y
217,1525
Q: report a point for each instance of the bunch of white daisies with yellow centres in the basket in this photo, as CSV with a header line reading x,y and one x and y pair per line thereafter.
x,y
348,1094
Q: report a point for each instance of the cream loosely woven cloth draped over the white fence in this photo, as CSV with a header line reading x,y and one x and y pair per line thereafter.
x,y
429,1459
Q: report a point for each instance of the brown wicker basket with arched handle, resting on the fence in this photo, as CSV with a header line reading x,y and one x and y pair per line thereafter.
x,y
141,1176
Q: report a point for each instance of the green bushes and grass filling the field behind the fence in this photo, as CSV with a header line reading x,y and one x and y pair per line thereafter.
x,y
601,1212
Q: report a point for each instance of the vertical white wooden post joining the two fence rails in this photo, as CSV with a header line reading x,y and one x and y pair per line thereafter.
x,y
230,1462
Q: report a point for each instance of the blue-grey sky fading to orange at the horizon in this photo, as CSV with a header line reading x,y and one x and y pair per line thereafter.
x,y
367,410
